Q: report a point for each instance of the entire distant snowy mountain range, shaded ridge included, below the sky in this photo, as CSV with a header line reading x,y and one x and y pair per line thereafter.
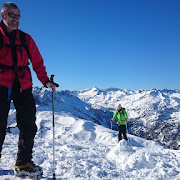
x,y
153,114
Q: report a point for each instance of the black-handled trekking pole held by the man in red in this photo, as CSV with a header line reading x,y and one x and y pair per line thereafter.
x,y
52,80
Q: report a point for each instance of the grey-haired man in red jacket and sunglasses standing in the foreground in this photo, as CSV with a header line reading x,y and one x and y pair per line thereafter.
x,y
16,85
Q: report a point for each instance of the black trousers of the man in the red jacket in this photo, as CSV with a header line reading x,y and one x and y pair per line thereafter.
x,y
24,104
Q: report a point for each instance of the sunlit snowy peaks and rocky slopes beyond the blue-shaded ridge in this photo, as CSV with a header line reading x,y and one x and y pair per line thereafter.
x,y
153,114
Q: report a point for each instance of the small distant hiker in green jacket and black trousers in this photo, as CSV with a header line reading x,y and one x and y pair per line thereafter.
x,y
121,114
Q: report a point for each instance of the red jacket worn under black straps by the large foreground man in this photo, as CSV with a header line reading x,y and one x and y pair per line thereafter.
x,y
24,76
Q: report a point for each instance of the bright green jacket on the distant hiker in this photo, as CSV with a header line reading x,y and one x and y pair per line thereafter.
x,y
122,115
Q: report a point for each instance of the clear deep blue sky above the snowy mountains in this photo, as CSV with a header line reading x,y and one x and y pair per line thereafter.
x,y
133,44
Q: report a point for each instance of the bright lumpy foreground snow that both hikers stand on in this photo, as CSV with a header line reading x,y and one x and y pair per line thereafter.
x,y
87,151
